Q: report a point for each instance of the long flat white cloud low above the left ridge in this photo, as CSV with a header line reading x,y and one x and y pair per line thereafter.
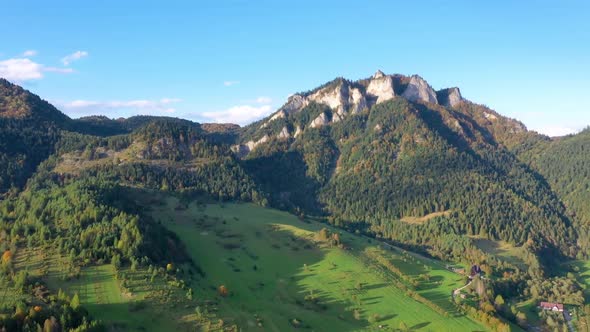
x,y
115,108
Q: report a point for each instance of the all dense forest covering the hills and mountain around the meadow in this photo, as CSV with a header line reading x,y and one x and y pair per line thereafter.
x,y
425,177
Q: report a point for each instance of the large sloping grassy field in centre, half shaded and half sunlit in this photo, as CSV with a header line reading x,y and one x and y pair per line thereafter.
x,y
280,277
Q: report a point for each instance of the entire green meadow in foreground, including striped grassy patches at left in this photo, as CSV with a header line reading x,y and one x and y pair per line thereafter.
x,y
279,273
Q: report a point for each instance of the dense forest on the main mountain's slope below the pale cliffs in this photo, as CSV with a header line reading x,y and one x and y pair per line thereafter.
x,y
400,160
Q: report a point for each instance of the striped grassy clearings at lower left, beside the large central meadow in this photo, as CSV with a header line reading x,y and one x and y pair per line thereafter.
x,y
141,305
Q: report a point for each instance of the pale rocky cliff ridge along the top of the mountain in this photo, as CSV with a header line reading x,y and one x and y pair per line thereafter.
x,y
343,97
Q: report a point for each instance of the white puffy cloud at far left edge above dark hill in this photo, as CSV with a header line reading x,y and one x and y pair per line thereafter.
x,y
25,69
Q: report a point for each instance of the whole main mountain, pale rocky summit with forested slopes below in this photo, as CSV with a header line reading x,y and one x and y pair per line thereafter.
x,y
405,156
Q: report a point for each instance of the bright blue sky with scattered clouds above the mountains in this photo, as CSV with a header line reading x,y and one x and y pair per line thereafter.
x,y
237,61
